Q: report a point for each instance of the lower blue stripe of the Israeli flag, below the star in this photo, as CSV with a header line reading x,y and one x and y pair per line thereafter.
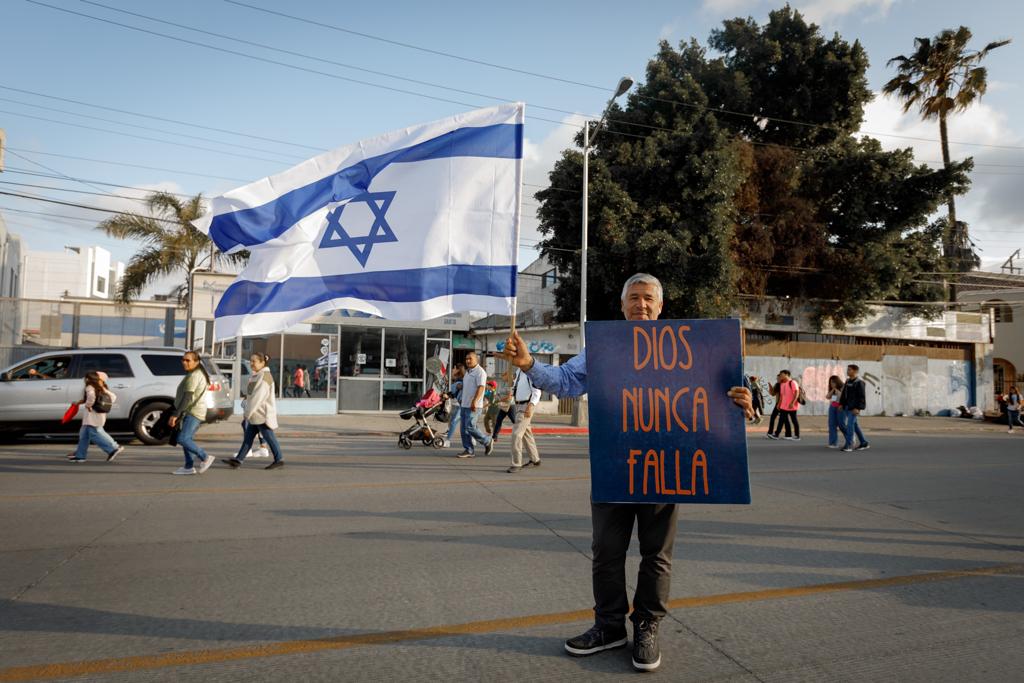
x,y
395,286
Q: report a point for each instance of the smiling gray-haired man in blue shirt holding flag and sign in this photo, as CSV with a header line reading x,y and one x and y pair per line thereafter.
x,y
613,523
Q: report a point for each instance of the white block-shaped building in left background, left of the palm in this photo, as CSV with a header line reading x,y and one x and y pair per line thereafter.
x,y
87,273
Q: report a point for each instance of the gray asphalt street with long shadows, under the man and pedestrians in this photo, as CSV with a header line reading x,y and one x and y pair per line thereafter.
x,y
362,563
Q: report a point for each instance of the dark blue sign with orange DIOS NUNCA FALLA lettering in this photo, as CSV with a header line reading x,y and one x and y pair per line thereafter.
x,y
662,428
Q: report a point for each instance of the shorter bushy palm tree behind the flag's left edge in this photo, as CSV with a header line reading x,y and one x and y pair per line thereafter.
x,y
170,244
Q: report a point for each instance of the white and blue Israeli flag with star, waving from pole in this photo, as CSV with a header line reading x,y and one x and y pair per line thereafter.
x,y
410,226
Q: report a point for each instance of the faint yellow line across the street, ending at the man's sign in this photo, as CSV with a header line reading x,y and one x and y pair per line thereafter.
x,y
271,490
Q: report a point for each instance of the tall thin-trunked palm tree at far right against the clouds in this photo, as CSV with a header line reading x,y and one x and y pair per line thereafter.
x,y
943,77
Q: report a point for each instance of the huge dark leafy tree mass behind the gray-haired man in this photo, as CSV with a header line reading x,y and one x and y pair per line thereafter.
x,y
739,175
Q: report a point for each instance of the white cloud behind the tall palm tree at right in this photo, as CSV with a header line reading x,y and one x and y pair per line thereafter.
x,y
995,206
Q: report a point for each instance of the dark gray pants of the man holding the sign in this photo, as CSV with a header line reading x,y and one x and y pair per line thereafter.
x,y
613,531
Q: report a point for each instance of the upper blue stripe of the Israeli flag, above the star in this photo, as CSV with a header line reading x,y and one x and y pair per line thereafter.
x,y
259,225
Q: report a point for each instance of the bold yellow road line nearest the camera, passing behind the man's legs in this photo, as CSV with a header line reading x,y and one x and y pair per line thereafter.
x,y
190,659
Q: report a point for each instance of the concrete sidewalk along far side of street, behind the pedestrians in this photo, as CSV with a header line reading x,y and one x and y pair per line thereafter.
x,y
391,425
